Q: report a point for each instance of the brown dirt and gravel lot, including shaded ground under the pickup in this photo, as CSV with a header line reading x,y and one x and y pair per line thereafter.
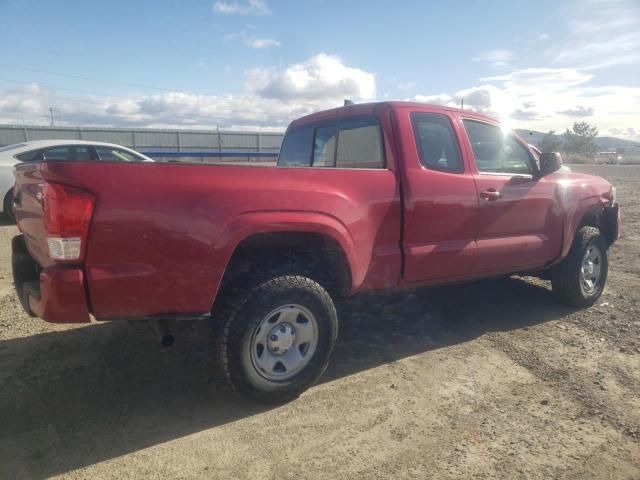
x,y
488,380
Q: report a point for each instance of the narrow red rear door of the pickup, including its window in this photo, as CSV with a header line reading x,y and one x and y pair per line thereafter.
x,y
440,198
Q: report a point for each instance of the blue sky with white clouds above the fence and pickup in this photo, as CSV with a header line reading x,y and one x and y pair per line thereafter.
x,y
258,64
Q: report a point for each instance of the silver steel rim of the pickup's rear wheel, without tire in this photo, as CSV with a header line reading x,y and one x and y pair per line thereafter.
x,y
284,342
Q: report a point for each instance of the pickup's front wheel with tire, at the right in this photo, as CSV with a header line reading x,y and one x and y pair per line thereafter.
x,y
580,278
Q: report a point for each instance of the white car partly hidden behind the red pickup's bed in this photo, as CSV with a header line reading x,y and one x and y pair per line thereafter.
x,y
61,150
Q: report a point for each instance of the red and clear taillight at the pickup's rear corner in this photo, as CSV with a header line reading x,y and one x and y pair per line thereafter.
x,y
67,216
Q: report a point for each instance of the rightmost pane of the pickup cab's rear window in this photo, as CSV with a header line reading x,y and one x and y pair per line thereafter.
x,y
359,144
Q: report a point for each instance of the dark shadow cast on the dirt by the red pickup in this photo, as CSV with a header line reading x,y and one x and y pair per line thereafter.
x,y
76,397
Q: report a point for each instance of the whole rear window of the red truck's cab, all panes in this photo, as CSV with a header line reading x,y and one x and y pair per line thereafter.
x,y
348,143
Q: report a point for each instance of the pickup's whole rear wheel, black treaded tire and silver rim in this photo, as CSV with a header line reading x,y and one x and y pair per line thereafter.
x,y
276,341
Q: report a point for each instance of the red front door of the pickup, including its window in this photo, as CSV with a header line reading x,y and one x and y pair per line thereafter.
x,y
519,222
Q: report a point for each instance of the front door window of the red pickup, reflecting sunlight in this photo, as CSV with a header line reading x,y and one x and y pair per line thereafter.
x,y
495,151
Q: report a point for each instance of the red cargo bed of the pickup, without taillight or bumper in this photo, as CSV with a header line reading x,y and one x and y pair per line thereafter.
x,y
161,235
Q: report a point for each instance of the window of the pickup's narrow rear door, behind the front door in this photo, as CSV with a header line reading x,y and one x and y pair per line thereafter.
x,y
436,142
